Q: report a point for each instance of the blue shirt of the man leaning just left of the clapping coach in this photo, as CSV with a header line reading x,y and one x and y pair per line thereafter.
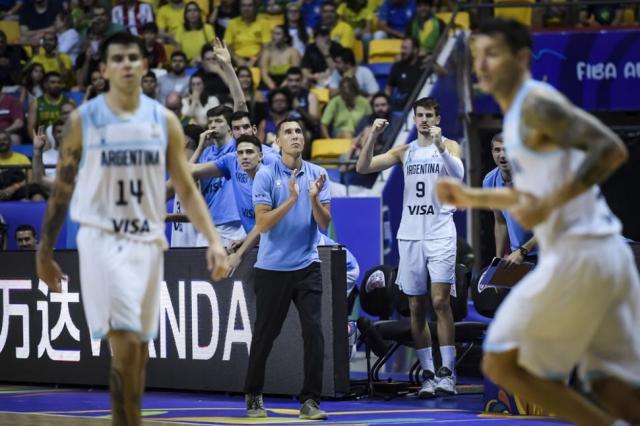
x,y
242,184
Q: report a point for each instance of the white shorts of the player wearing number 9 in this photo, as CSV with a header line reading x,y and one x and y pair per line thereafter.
x,y
437,258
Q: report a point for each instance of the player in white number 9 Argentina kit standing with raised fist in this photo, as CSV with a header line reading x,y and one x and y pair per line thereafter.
x,y
426,237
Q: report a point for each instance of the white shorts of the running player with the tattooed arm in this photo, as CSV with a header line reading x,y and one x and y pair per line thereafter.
x,y
580,306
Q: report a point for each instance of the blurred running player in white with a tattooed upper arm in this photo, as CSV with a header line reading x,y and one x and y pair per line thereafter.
x,y
581,306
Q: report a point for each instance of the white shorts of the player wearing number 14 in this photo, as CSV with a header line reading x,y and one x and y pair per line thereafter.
x,y
120,283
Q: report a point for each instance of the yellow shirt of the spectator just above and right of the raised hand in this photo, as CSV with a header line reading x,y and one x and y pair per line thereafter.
x,y
247,40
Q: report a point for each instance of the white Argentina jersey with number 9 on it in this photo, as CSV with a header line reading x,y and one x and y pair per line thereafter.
x,y
423,216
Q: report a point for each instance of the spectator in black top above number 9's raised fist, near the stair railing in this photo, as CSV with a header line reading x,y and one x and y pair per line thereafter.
x,y
405,74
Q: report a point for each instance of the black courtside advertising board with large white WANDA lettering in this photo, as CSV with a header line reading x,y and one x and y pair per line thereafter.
x,y
204,336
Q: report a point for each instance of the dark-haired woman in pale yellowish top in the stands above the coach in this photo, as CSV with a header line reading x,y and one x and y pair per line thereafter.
x,y
277,57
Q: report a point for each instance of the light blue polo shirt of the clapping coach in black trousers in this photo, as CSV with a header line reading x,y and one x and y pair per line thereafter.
x,y
291,244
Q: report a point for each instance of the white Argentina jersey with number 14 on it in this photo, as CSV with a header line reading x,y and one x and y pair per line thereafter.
x,y
121,181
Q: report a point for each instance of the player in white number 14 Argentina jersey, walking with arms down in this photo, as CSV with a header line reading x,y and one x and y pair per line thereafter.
x,y
117,144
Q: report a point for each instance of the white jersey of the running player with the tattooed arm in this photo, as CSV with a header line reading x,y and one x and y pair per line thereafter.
x,y
540,173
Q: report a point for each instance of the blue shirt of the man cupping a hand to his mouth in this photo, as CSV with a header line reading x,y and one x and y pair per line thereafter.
x,y
216,192
